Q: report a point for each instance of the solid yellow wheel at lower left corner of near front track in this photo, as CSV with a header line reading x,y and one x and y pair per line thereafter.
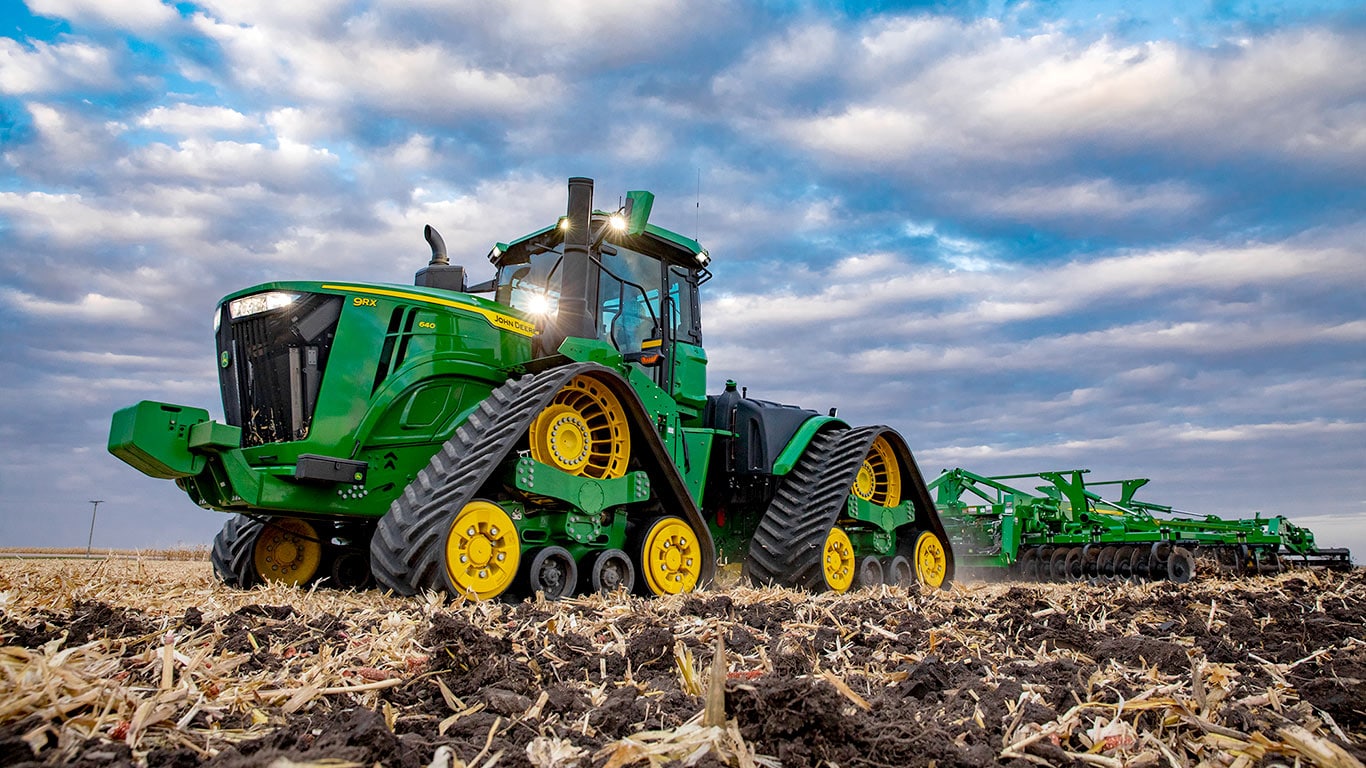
x,y
483,551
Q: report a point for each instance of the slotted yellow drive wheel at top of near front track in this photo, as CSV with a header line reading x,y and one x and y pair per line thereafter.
x,y
584,431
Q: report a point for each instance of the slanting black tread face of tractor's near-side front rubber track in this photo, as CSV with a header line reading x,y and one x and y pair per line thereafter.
x,y
406,550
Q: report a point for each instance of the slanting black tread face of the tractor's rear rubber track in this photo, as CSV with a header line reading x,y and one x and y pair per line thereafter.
x,y
789,543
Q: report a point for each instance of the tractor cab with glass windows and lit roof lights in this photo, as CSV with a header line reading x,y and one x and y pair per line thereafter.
x,y
639,288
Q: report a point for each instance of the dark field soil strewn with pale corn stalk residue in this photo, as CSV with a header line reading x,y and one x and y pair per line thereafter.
x,y
154,663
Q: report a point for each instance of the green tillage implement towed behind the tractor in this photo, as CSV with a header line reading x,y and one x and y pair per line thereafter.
x,y
1063,531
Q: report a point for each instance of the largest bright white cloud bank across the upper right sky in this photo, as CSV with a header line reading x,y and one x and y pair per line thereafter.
x,y
1022,102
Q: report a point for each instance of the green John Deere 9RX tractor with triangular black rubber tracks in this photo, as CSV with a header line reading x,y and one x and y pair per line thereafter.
x,y
547,431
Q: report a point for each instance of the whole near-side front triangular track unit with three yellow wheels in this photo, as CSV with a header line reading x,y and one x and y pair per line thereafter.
x,y
555,484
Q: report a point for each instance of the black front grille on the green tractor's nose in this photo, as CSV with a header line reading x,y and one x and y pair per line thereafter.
x,y
275,367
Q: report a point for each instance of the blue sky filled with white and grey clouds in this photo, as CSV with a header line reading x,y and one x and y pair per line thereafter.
x,y
1125,237
